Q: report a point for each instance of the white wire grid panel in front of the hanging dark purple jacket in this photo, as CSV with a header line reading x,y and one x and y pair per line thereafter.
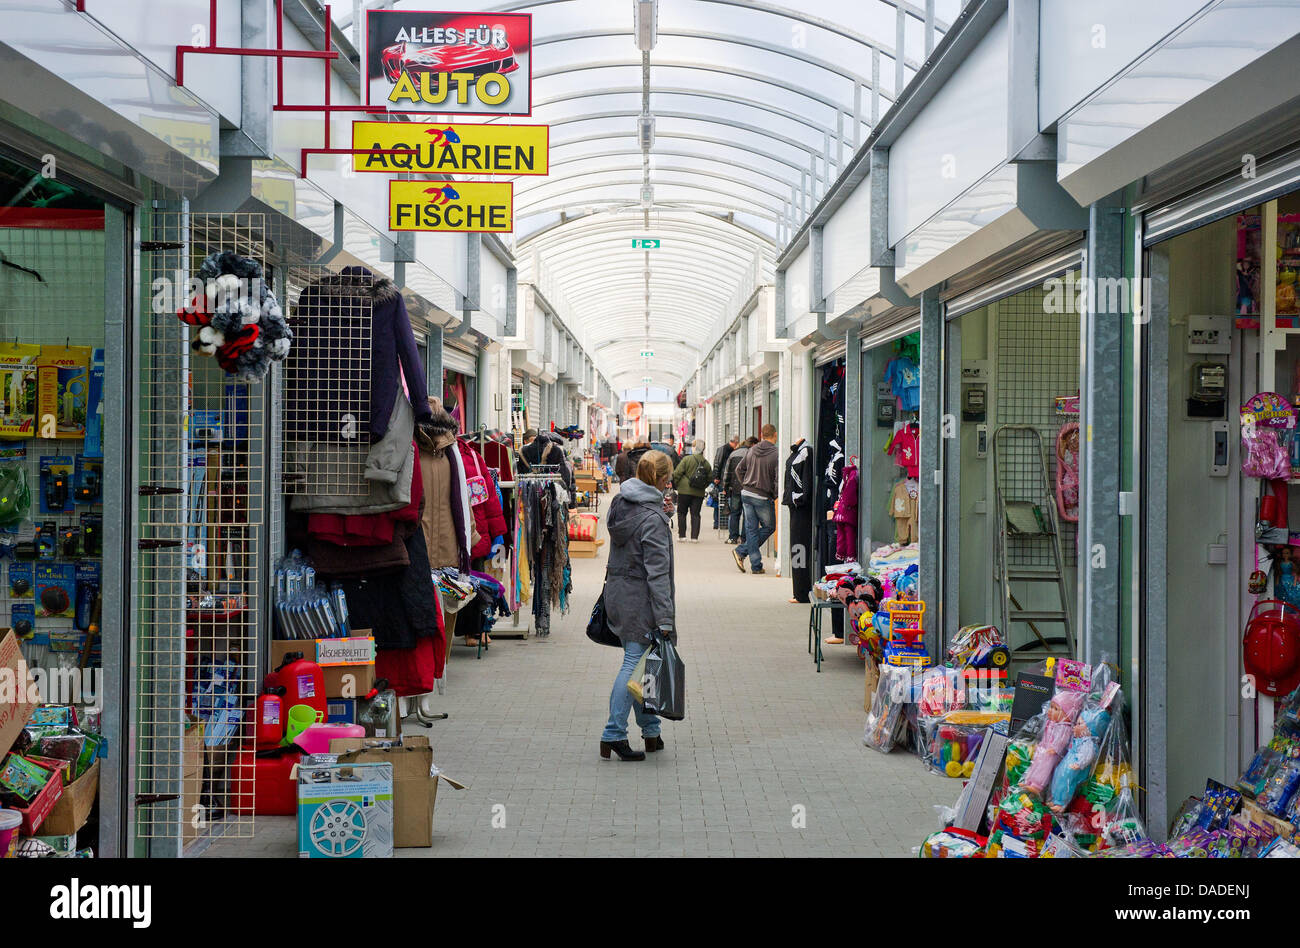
x,y
327,382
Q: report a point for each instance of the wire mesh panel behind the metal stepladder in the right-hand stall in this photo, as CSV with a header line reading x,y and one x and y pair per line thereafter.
x,y
1038,360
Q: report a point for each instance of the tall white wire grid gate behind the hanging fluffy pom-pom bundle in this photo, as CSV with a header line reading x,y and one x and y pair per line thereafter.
x,y
201,568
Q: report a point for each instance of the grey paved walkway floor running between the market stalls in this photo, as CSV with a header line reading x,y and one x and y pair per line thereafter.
x,y
764,735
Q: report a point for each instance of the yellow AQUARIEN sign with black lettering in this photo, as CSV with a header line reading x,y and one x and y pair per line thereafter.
x,y
452,149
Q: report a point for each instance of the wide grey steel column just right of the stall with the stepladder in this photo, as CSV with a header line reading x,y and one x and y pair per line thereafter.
x,y
1102,413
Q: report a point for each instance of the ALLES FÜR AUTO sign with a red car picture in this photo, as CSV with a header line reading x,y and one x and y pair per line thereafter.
x,y
447,63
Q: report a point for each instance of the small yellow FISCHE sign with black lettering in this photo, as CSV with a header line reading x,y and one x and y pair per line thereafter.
x,y
452,206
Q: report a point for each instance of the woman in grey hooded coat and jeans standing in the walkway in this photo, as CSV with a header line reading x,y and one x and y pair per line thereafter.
x,y
640,594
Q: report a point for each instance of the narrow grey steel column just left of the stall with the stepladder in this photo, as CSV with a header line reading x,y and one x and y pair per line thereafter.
x,y
930,504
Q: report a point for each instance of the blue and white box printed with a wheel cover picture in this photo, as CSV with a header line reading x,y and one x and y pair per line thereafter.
x,y
345,811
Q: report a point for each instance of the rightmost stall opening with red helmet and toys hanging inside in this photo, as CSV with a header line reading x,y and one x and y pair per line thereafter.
x,y
1221,354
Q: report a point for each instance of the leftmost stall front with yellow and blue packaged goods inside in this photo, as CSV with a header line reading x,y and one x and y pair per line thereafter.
x,y
67,219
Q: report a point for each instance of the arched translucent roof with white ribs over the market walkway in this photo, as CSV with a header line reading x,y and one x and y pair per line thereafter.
x,y
757,105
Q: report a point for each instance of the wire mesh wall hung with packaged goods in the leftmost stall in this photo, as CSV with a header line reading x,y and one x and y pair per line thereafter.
x,y
53,304
